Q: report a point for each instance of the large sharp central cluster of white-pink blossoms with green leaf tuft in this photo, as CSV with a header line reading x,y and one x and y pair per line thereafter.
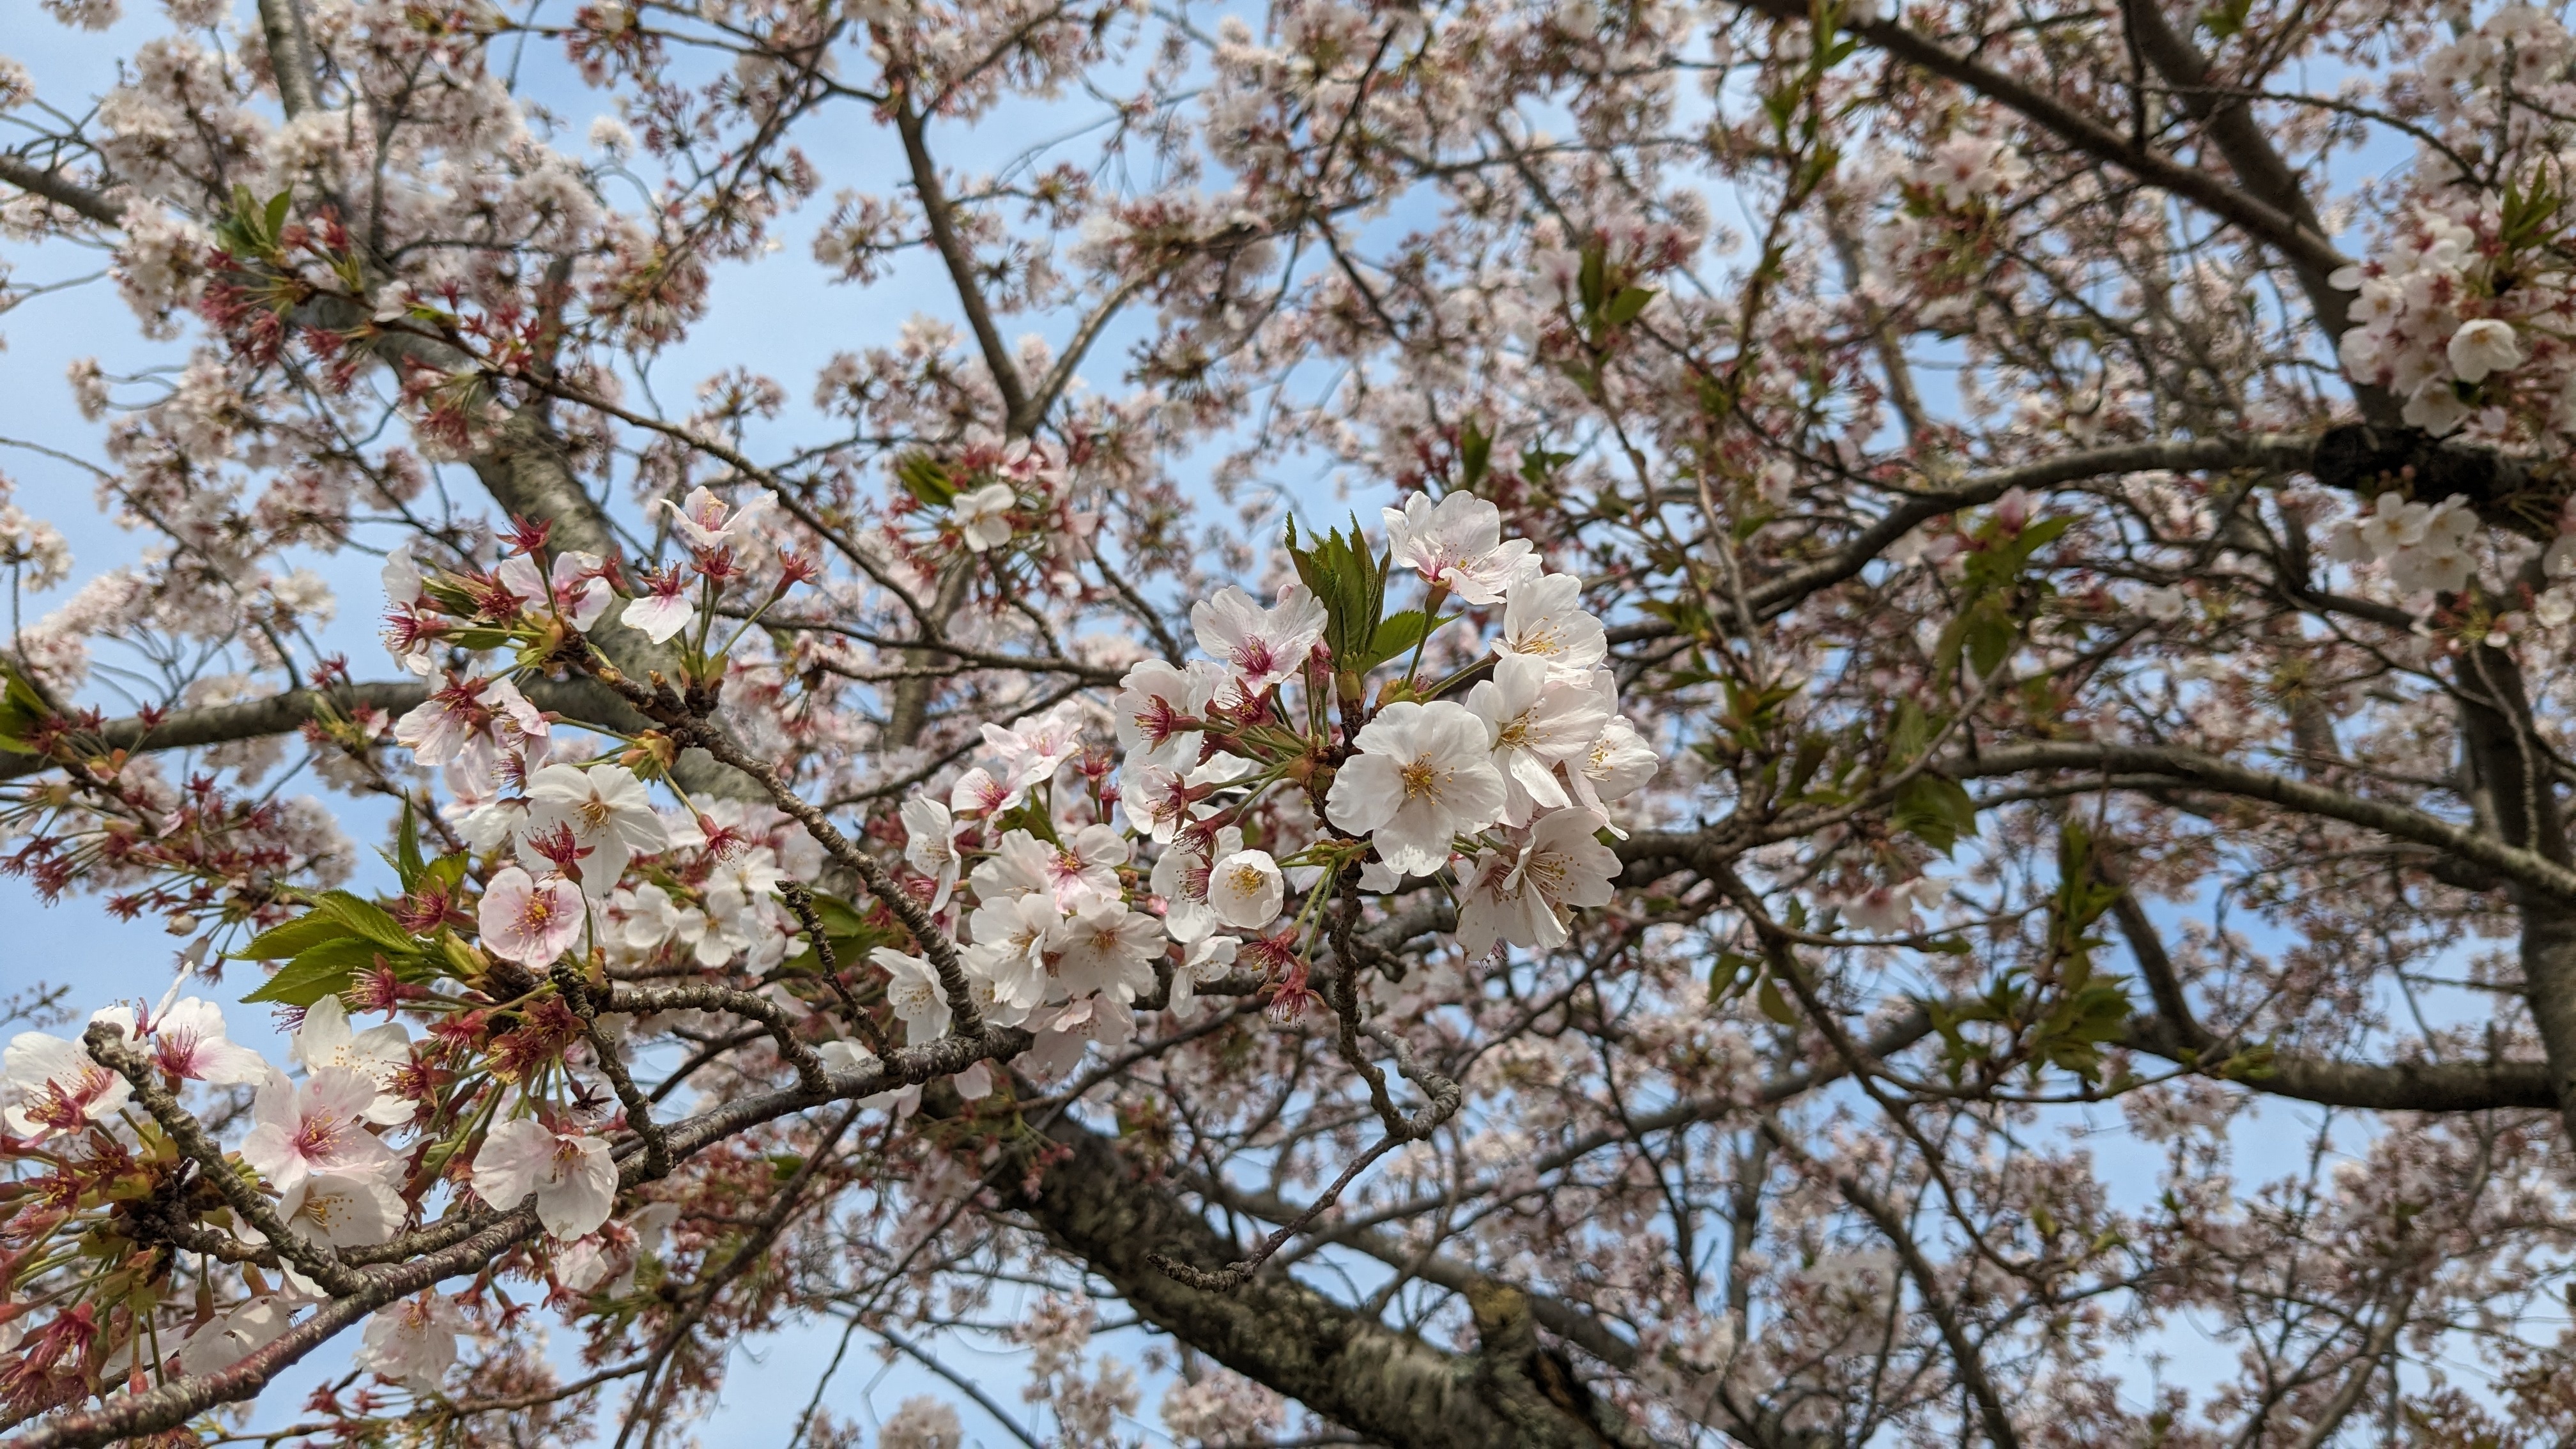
x,y
1261,775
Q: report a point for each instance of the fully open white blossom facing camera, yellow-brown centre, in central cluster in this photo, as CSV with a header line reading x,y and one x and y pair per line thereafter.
x,y
1423,775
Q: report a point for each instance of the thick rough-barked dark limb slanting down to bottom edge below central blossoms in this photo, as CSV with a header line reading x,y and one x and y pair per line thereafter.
x,y
1276,1332
